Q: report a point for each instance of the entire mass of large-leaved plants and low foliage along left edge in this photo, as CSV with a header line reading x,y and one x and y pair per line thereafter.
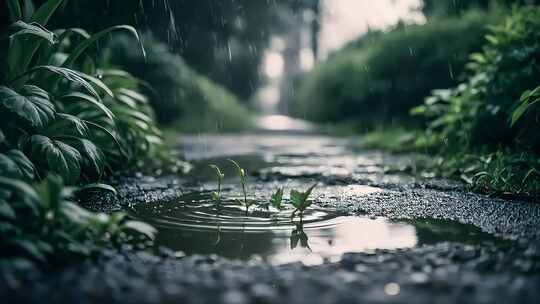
x,y
66,122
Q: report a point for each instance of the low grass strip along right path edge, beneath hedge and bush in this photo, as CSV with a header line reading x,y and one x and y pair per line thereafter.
x,y
499,172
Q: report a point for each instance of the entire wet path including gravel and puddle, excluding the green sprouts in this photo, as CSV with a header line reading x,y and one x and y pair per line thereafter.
x,y
373,234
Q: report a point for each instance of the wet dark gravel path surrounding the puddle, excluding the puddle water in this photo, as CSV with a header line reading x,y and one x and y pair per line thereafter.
x,y
439,273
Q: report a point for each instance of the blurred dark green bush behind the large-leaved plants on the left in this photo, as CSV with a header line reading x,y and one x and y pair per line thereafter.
x,y
181,95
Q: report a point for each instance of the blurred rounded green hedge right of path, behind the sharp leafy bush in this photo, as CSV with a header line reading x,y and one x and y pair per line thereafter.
x,y
382,80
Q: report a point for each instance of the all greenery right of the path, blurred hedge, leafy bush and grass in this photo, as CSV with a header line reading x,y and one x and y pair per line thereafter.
x,y
479,118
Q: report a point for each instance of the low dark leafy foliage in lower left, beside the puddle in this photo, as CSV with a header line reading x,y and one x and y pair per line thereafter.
x,y
40,223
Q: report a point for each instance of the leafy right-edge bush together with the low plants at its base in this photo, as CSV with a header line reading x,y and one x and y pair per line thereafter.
x,y
493,117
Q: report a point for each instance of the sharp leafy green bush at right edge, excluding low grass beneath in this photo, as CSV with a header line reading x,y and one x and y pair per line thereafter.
x,y
497,104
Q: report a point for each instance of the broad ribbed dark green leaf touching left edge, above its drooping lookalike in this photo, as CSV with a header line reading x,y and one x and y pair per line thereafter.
x,y
32,104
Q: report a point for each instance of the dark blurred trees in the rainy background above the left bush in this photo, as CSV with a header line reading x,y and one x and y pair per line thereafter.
x,y
223,39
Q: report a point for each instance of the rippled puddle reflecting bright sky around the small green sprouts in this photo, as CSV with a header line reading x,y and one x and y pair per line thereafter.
x,y
195,225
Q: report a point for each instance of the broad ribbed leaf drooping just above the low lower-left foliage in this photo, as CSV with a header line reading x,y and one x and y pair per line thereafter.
x,y
60,157
